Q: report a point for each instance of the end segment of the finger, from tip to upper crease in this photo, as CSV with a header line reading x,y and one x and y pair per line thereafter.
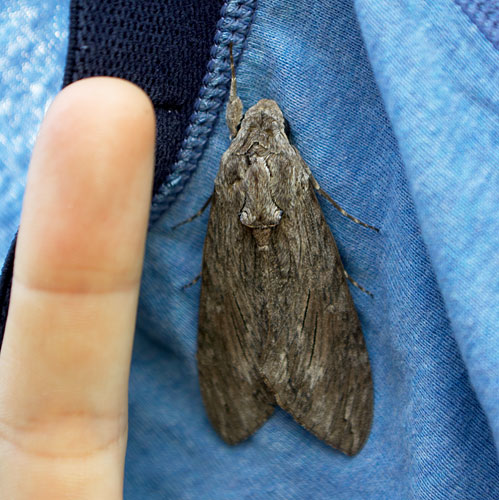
x,y
89,185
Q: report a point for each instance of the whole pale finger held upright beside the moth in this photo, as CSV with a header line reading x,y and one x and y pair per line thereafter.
x,y
65,359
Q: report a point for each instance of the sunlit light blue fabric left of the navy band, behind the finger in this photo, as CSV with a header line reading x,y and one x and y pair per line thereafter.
x,y
33,43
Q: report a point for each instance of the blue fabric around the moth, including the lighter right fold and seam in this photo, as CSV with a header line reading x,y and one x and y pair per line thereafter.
x,y
408,146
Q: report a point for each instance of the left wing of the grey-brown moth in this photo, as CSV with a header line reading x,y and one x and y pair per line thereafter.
x,y
229,337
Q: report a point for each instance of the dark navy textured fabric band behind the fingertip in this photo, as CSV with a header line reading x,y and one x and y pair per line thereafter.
x,y
163,46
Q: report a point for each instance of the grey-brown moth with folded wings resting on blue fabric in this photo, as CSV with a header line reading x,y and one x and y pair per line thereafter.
x,y
277,323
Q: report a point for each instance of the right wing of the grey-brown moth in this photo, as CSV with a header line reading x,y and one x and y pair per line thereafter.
x,y
315,359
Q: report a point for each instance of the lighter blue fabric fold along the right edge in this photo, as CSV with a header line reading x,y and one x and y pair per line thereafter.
x,y
440,83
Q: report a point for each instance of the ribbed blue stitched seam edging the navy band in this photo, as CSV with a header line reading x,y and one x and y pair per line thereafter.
x,y
233,27
